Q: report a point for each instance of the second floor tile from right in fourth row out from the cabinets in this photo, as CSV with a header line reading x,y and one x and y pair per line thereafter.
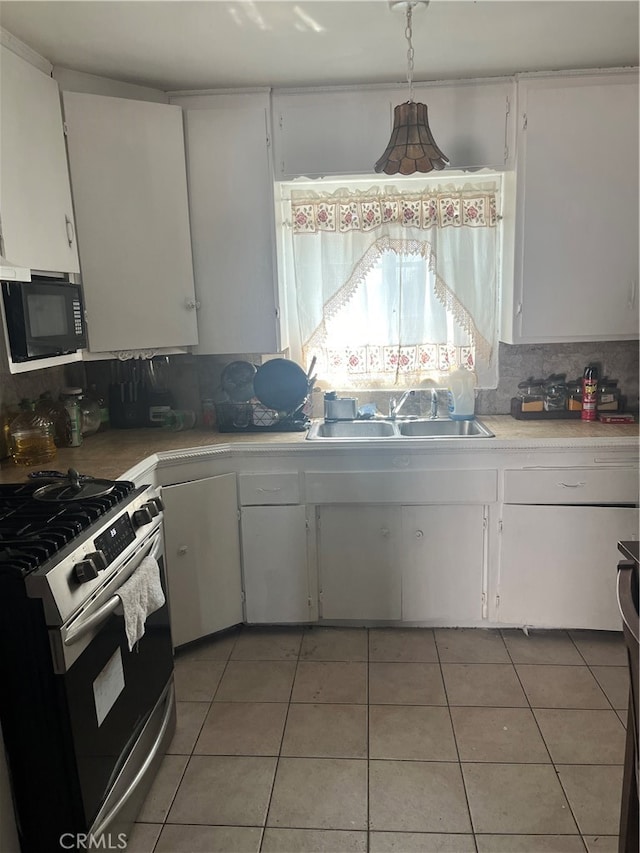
x,y
523,799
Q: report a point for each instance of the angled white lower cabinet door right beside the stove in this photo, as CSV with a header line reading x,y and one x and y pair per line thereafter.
x,y
203,557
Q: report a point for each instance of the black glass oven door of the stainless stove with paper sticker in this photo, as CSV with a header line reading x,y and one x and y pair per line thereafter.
x,y
109,691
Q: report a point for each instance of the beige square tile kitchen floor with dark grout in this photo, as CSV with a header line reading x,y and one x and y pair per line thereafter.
x,y
348,739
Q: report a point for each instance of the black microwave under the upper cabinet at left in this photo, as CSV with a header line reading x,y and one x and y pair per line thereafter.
x,y
44,317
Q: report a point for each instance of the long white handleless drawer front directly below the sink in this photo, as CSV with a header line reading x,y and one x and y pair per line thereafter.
x,y
402,487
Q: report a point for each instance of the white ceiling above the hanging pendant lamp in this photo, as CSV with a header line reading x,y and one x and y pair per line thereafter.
x,y
180,44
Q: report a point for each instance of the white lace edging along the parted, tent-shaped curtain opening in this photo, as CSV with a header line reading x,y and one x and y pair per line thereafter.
x,y
364,266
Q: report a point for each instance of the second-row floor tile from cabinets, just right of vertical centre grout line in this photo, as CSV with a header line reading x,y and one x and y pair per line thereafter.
x,y
406,684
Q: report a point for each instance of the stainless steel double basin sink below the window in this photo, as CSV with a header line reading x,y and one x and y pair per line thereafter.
x,y
398,429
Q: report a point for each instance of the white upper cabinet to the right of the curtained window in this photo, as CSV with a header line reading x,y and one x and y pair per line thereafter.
x,y
576,246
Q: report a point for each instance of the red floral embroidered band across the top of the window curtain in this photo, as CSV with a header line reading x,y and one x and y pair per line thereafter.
x,y
345,212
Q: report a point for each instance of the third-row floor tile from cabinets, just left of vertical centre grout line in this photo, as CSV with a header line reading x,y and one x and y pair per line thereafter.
x,y
326,731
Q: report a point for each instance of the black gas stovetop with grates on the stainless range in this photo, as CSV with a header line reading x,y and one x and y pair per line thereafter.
x,y
32,530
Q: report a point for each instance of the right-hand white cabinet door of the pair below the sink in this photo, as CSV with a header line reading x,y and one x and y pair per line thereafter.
x,y
442,563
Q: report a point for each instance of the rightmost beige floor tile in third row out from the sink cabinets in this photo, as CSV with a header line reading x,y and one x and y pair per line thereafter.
x,y
582,737
